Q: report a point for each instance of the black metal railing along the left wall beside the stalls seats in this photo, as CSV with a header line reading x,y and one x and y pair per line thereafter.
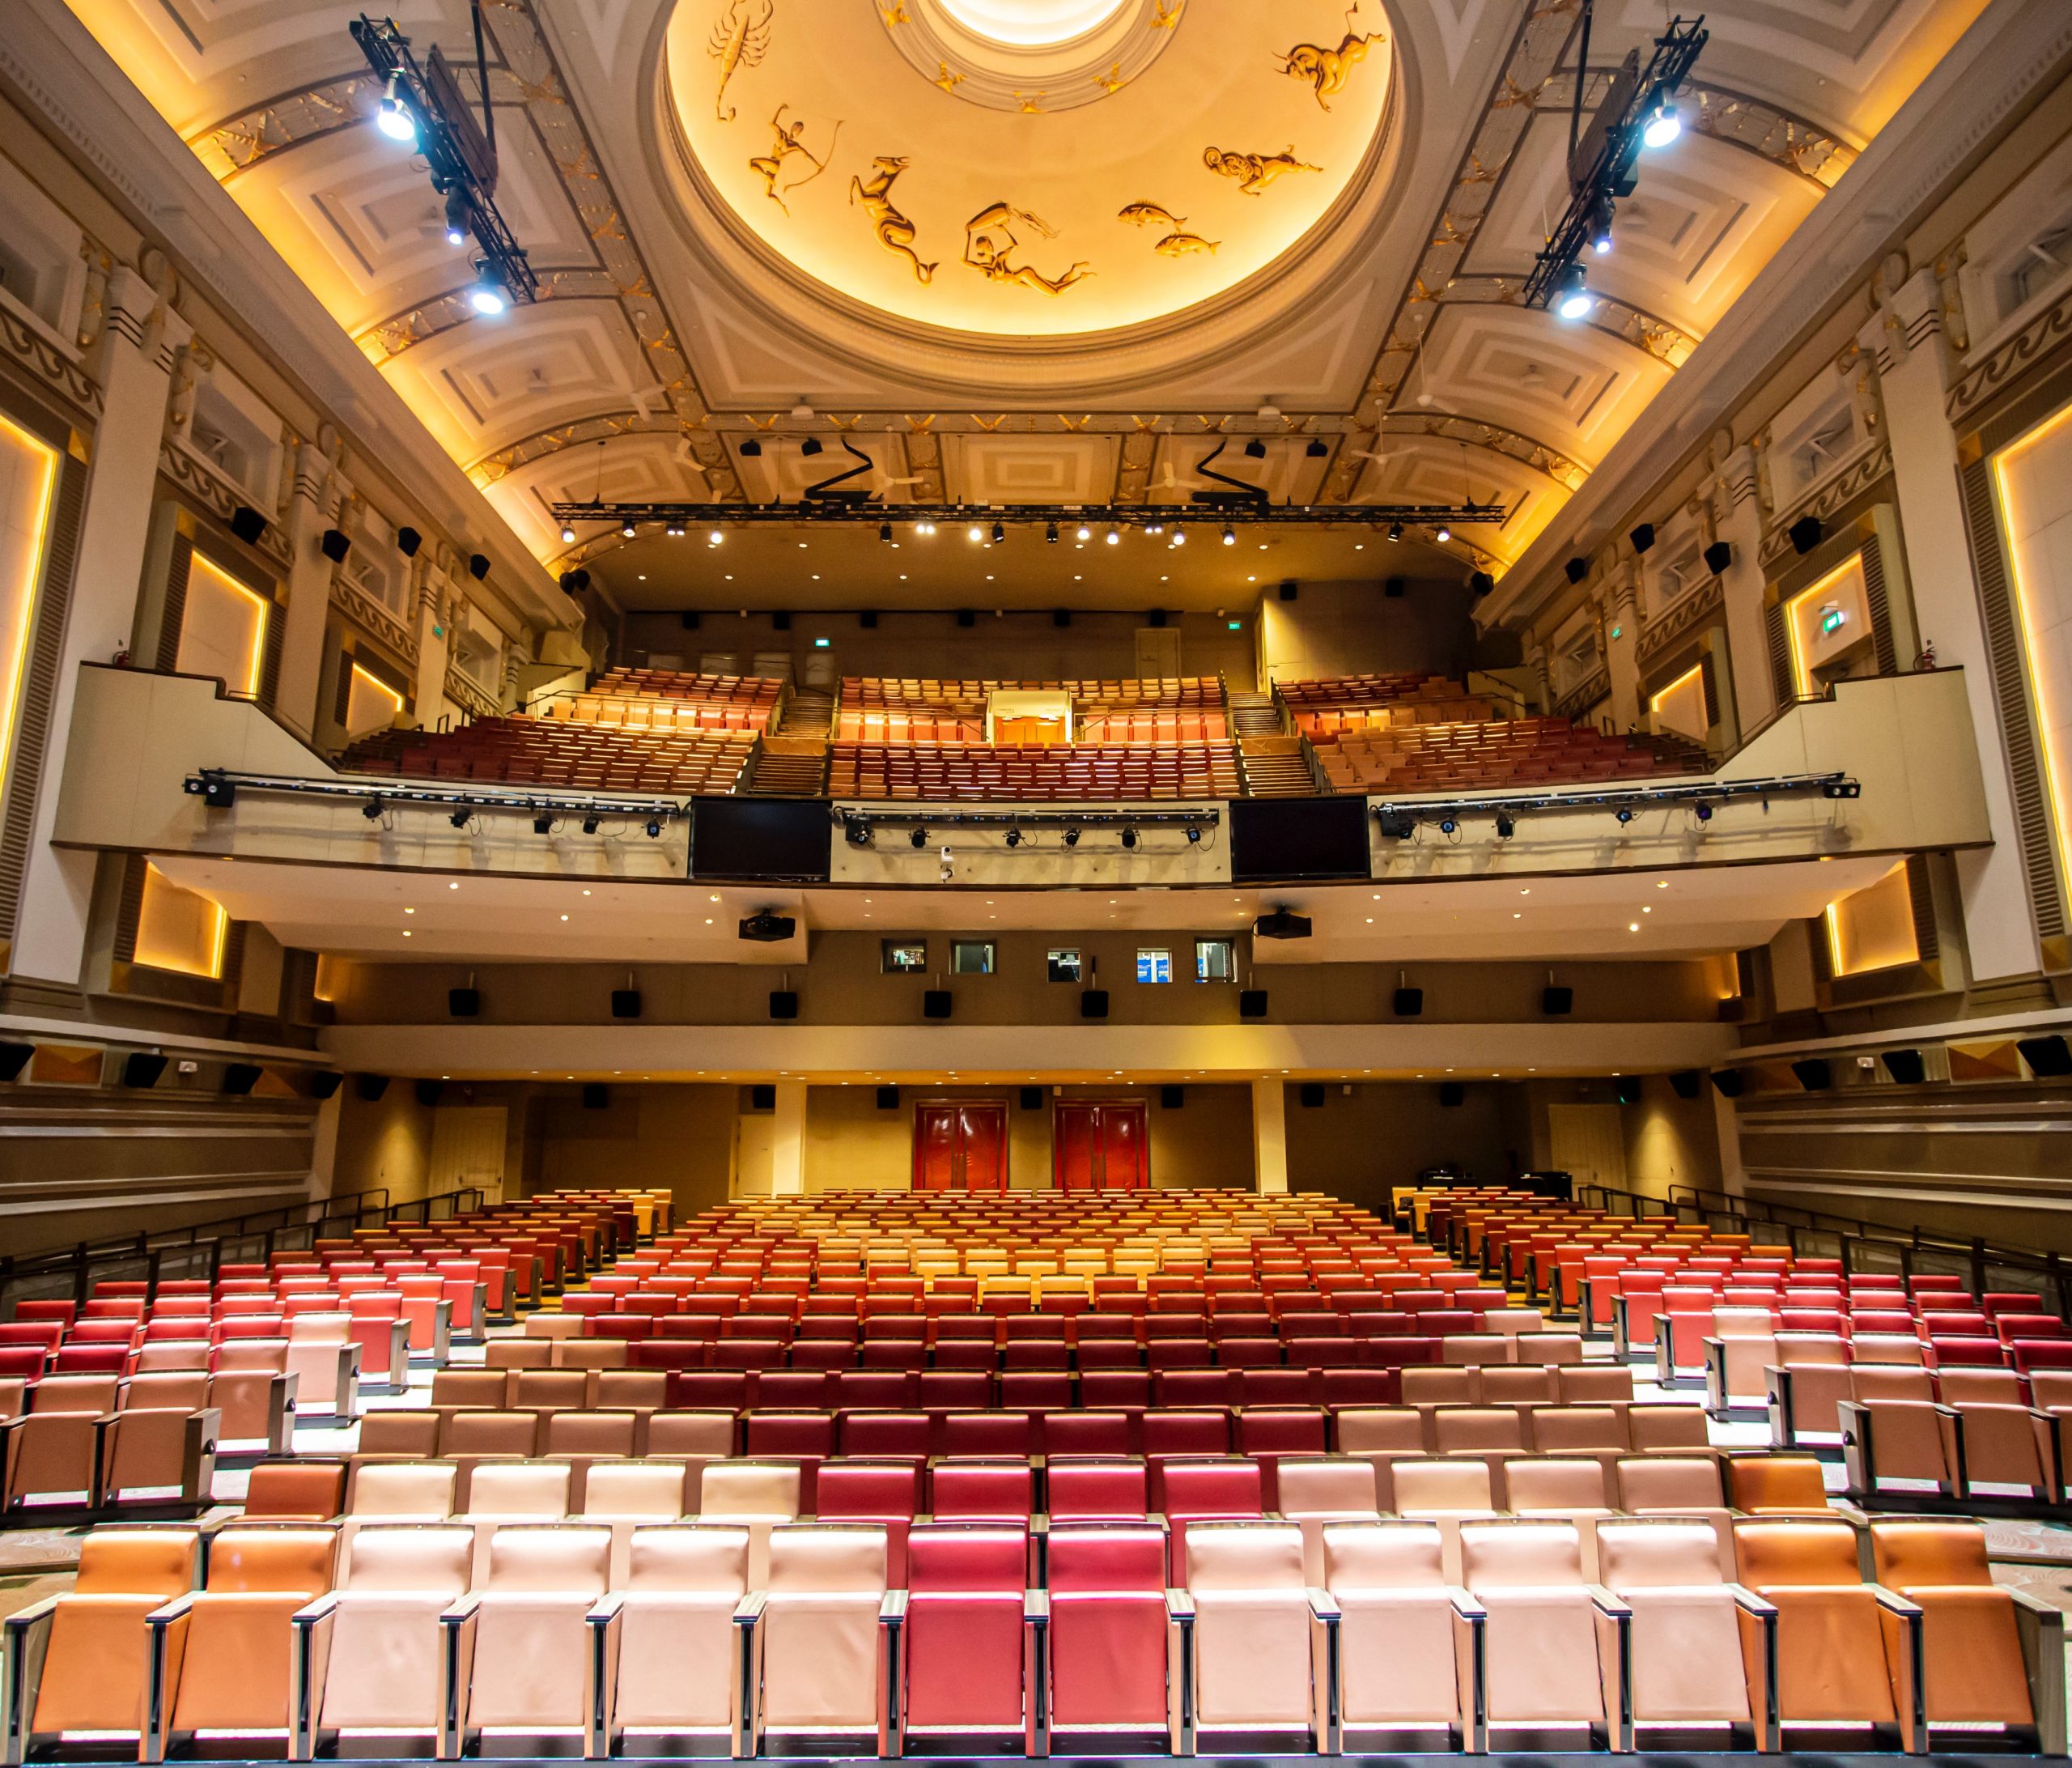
x,y
198,1251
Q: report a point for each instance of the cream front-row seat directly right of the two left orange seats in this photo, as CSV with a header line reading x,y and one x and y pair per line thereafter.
x,y
372,1647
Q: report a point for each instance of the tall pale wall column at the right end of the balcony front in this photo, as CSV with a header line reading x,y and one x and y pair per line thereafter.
x,y
1913,366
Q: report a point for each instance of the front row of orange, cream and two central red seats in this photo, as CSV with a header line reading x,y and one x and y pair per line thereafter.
x,y
422,1641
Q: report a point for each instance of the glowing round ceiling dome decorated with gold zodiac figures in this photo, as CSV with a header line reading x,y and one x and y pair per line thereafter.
x,y
1029,167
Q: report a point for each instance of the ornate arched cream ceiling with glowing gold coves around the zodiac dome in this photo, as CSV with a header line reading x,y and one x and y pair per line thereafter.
x,y
1371,308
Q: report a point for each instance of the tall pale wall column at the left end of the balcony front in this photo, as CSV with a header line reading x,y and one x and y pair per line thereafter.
x,y
134,366
